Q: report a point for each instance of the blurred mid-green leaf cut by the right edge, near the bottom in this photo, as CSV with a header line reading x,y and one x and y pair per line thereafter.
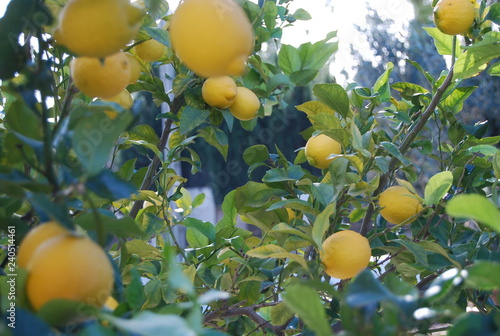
x,y
480,275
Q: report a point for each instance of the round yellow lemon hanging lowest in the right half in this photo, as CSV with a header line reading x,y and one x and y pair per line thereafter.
x,y
345,254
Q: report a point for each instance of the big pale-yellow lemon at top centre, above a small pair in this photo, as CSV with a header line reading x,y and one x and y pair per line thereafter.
x,y
213,38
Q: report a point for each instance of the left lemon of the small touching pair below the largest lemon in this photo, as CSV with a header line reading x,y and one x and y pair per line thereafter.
x,y
219,91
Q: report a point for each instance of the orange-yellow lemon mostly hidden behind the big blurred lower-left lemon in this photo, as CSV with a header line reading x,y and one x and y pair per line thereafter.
x,y
35,237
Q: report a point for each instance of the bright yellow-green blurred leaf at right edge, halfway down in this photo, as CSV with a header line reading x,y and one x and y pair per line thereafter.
x,y
476,207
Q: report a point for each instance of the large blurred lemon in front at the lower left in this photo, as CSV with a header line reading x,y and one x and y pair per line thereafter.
x,y
69,267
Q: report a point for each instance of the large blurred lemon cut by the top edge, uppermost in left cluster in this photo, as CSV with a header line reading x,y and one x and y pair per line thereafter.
x,y
97,28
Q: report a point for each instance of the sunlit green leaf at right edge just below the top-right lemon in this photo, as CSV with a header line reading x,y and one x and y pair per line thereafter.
x,y
476,57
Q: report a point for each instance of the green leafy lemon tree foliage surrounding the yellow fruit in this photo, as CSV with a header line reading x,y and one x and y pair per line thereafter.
x,y
63,162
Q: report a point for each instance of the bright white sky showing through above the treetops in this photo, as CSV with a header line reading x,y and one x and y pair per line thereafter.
x,y
330,15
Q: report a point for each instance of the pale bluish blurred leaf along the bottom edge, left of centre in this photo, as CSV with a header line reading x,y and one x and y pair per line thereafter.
x,y
147,323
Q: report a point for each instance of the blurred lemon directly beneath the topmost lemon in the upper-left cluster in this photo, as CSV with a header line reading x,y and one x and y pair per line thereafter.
x,y
101,78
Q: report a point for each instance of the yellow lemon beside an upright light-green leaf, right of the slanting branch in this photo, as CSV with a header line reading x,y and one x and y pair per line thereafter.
x,y
398,204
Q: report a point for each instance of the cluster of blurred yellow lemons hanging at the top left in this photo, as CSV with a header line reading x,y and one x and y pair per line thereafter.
x,y
102,69
